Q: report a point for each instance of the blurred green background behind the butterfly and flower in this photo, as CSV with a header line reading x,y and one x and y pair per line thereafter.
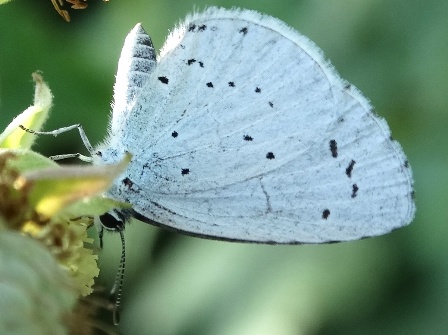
x,y
396,52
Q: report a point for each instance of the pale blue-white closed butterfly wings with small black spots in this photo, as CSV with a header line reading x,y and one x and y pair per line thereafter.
x,y
243,132
